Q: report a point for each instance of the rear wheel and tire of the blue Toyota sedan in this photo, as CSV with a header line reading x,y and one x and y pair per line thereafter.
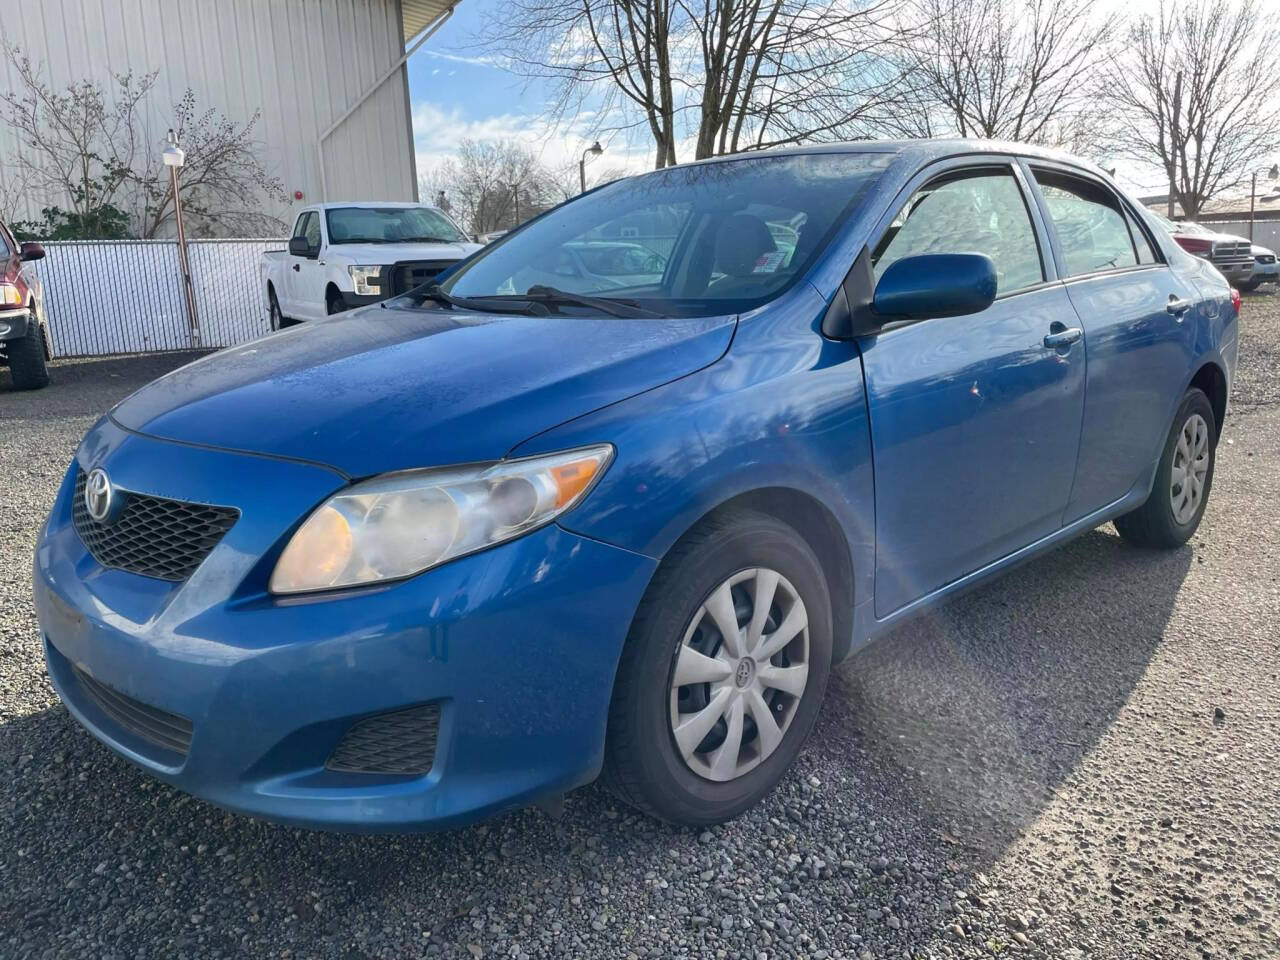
x,y
1167,520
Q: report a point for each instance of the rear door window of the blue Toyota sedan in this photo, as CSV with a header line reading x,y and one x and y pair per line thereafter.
x,y
1090,222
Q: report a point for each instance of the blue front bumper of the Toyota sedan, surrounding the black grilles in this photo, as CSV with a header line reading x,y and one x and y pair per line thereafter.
x,y
518,646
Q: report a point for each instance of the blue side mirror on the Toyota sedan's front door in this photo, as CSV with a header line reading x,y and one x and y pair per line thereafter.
x,y
936,285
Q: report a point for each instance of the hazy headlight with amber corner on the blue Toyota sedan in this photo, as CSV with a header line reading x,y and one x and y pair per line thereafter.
x,y
403,524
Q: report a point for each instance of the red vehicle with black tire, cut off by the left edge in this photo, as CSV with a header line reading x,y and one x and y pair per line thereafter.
x,y
24,336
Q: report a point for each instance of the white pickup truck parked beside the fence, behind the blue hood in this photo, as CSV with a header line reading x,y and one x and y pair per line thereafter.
x,y
349,255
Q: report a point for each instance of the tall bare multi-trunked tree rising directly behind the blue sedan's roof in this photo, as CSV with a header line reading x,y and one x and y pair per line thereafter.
x,y
732,75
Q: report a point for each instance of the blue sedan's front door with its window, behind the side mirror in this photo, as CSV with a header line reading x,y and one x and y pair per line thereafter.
x,y
976,420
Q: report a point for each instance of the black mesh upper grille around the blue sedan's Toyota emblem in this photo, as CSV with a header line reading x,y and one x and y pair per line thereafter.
x,y
153,536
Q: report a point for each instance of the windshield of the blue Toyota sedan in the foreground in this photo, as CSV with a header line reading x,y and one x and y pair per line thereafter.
x,y
689,241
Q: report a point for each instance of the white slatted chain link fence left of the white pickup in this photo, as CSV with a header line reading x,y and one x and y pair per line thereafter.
x,y
104,298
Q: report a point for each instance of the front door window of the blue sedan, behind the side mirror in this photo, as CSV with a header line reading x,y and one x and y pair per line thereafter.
x,y
976,212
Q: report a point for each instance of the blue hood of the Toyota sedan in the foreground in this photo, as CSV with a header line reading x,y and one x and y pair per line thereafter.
x,y
400,387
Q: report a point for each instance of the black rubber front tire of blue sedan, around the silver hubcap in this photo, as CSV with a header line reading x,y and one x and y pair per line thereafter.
x,y
676,792
